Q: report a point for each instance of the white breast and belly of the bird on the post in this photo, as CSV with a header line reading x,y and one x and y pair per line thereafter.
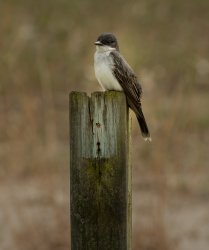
x,y
103,64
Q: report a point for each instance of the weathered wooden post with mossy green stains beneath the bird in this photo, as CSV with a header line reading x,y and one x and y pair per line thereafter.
x,y
100,172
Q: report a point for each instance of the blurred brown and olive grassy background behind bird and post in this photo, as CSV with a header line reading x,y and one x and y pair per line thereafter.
x,y
46,51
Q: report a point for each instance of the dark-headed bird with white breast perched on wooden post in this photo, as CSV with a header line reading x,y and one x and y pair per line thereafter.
x,y
114,73
